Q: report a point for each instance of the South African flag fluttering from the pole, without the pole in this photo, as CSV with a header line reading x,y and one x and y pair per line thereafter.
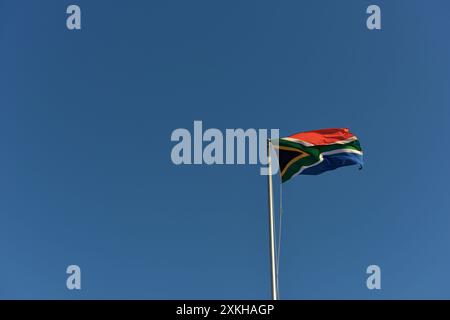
x,y
314,152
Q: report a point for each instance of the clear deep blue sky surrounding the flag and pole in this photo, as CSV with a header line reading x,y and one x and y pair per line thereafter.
x,y
86,174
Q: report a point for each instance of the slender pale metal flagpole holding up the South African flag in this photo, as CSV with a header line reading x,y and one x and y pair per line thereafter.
x,y
271,225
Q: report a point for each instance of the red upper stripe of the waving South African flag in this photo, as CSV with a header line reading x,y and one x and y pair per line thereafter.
x,y
323,136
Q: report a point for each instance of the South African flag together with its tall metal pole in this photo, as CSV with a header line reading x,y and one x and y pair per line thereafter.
x,y
308,153
